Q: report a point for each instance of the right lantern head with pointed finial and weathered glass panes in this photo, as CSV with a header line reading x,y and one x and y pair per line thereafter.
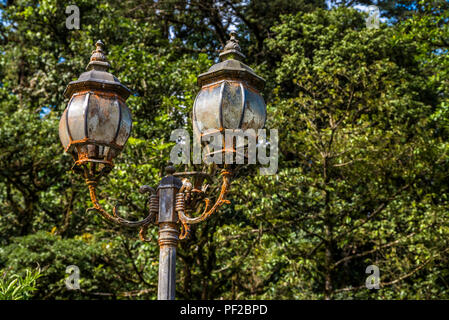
x,y
229,97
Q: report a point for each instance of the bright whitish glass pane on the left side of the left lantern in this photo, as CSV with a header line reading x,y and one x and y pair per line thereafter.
x,y
76,113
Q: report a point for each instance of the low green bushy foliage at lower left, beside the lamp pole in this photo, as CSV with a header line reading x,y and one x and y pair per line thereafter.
x,y
98,257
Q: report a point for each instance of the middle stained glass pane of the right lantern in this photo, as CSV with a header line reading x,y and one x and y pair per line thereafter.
x,y
232,105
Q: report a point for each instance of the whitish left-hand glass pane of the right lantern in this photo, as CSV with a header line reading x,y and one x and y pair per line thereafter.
x,y
206,110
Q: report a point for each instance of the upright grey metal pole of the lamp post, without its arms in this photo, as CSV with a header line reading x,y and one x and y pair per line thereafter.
x,y
168,234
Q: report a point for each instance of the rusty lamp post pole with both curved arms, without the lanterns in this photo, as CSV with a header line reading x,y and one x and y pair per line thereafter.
x,y
167,209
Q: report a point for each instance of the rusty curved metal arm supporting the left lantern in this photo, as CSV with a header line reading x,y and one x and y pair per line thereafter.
x,y
115,218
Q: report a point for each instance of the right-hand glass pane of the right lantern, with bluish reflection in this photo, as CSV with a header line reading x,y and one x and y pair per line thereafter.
x,y
255,111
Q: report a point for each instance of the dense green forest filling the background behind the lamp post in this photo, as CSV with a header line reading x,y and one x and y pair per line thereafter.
x,y
363,179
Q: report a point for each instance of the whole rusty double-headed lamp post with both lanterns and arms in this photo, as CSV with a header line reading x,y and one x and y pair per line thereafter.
x,y
97,123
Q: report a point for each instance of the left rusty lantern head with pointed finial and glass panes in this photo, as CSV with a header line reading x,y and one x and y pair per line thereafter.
x,y
96,123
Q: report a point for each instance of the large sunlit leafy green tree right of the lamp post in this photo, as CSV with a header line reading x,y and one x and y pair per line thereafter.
x,y
358,124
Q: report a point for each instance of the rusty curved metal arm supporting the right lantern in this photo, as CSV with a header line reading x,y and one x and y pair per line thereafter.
x,y
180,207
